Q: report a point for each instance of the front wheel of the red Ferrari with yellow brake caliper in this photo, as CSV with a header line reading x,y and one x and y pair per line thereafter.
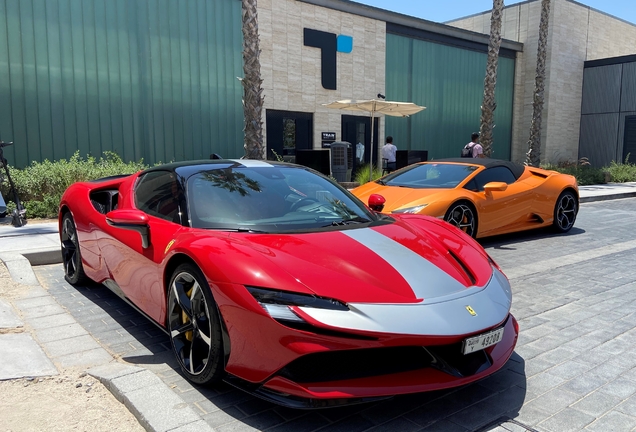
x,y
194,326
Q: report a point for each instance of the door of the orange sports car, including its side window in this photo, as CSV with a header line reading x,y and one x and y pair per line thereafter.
x,y
499,211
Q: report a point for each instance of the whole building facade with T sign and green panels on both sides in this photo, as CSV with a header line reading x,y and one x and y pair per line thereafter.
x,y
157,79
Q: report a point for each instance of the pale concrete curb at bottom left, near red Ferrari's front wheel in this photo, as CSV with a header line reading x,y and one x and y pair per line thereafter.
x,y
150,400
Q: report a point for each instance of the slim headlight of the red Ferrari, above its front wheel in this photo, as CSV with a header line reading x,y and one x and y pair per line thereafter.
x,y
278,304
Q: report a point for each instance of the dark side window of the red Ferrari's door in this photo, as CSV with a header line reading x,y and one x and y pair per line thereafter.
x,y
158,193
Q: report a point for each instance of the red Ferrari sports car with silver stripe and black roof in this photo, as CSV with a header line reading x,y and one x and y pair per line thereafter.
x,y
276,279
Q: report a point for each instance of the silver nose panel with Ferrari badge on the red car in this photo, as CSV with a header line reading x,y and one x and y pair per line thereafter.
x,y
490,304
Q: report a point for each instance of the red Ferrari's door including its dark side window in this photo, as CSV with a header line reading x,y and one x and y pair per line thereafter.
x,y
136,270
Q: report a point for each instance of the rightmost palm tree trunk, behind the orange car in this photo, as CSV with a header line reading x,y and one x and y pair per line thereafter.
x,y
533,156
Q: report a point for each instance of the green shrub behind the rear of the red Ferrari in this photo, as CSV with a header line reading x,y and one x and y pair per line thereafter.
x,y
41,185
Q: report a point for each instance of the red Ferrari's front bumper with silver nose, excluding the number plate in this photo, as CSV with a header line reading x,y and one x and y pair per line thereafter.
x,y
325,365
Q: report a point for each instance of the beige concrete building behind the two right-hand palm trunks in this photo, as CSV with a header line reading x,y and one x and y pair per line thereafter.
x,y
576,33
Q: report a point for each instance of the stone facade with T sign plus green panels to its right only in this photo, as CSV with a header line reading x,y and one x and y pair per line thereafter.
x,y
403,58
